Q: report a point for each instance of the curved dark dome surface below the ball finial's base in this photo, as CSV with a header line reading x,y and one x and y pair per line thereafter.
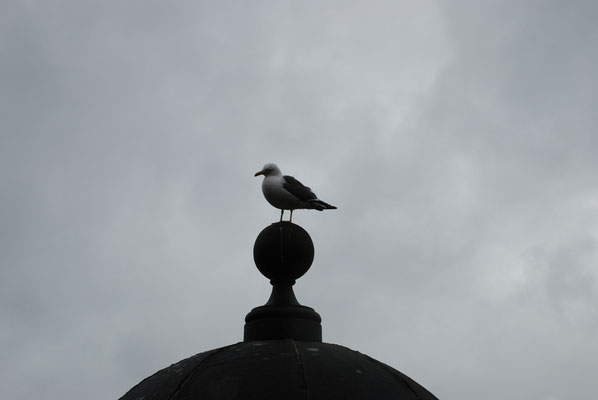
x,y
278,369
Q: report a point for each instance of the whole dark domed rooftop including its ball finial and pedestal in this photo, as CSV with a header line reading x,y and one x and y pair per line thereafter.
x,y
282,356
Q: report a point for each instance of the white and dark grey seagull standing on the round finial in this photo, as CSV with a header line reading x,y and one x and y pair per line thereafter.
x,y
287,193
